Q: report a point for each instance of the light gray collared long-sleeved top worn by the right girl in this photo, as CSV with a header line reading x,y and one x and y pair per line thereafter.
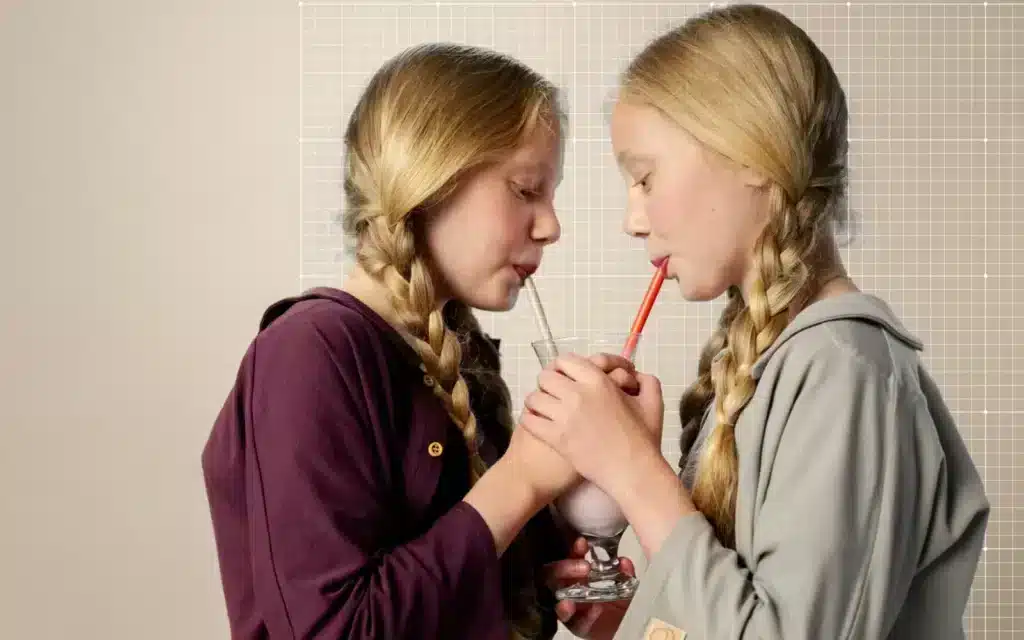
x,y
860,513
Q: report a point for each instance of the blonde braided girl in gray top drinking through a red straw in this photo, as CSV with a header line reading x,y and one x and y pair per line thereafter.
x,y
826,493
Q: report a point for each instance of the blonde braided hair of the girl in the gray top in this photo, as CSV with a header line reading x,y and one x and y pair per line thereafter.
x,y
754,90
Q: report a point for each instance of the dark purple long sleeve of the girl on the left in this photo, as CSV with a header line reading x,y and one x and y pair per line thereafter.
x,y
326,562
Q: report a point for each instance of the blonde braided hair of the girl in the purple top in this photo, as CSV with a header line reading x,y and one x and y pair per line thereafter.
x,y
429,119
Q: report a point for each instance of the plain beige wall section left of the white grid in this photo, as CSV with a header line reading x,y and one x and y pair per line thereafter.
x,y
149,184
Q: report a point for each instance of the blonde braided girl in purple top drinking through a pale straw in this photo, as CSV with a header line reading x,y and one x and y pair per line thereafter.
x,y
363,476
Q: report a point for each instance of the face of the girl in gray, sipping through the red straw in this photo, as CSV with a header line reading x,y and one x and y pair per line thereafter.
x,y
693,207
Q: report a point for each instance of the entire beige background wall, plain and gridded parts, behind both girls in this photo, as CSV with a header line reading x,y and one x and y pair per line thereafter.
x,y
169,168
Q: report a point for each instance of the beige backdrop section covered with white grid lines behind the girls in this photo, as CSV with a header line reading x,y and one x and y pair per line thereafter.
x,y
935,91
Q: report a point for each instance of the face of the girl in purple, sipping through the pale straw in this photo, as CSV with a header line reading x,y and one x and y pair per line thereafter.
x,y
492,233
